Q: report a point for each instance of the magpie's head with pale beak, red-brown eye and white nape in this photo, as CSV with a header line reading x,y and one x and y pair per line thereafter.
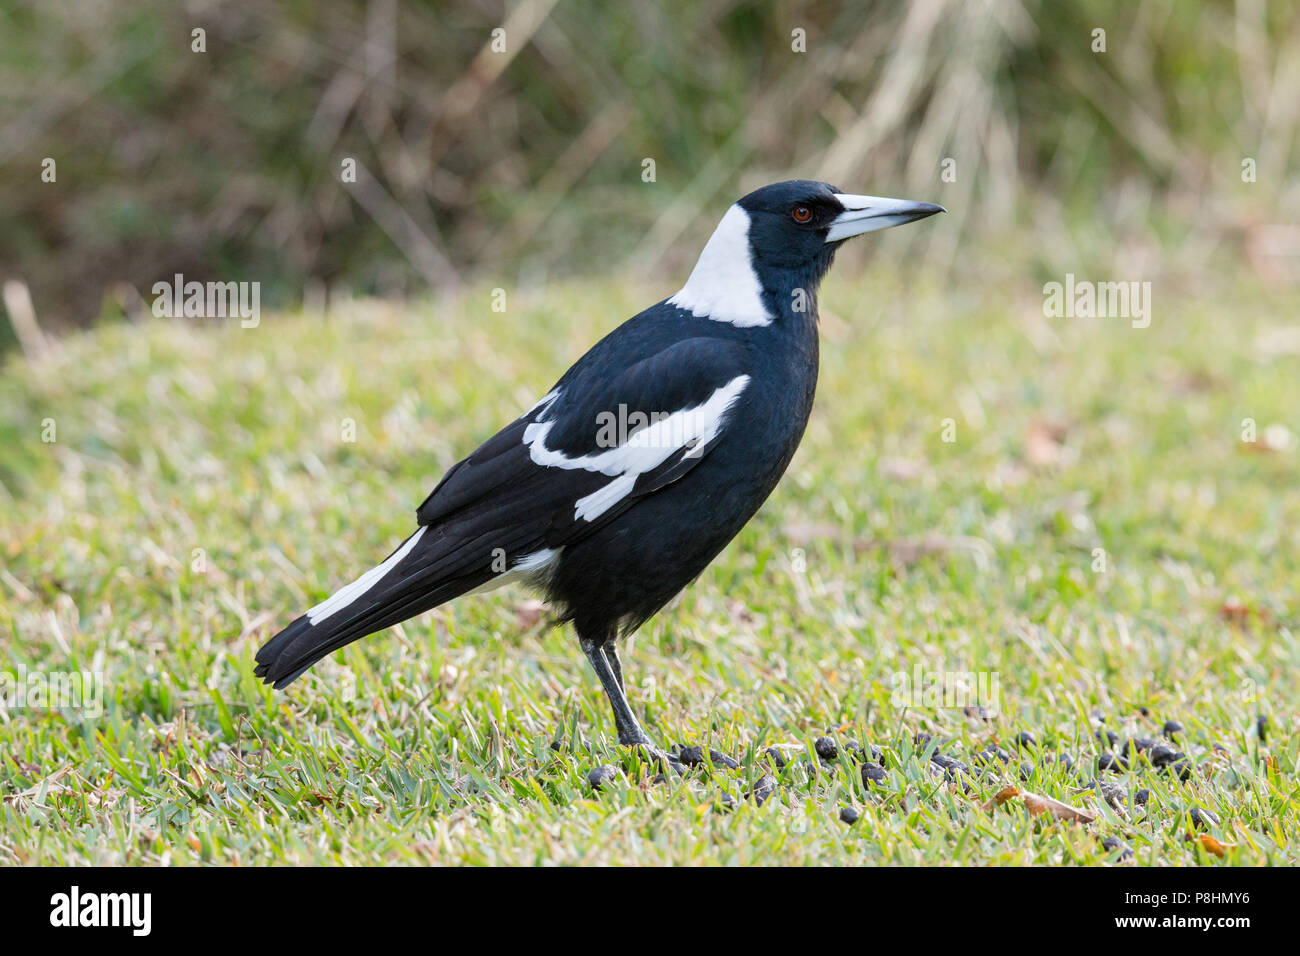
x,y
781,239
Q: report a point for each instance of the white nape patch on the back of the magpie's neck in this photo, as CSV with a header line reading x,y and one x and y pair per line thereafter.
x,y
723,285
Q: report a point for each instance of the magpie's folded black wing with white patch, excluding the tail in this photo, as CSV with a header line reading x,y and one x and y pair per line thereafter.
x,y
597,443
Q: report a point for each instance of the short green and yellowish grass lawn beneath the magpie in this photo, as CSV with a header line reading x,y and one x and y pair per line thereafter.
x,y
432,742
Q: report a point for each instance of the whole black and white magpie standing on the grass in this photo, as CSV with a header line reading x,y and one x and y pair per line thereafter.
x,y
621,486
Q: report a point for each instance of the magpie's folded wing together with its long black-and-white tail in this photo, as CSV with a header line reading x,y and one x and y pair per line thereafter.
x,y
574,462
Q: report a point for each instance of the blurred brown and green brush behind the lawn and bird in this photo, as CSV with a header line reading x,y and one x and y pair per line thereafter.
x,y
1173,153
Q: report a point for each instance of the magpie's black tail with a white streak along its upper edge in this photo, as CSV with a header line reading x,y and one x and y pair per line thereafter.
x,y
415,578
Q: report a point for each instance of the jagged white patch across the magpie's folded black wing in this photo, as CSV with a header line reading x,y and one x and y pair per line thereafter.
x,y
645,451
